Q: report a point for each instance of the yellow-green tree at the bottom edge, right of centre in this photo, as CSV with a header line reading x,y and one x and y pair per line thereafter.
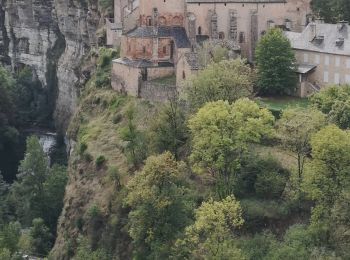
x,y
211,236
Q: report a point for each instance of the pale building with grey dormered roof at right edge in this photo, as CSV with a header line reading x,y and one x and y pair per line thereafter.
x,y
323,55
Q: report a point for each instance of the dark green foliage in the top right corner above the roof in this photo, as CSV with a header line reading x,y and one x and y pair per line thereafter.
x,y
332,10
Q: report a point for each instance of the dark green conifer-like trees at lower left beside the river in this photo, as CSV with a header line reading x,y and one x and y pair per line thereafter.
x,y
39,189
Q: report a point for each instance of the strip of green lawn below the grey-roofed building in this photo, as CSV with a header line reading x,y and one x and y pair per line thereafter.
x,y
280,103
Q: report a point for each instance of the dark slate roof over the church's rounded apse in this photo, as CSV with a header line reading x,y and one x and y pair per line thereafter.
x,y
177,33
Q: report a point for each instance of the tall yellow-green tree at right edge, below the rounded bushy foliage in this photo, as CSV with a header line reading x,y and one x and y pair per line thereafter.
x,y
327,174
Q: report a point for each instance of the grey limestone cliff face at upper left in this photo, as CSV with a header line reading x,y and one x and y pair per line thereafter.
x,y
52,37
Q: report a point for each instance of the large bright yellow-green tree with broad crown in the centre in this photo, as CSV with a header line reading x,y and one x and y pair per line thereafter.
x,y
220,136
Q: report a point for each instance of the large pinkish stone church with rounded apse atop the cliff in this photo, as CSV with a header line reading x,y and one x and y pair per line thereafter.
x,y
160,37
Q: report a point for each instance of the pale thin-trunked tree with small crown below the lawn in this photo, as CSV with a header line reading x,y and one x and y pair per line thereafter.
x,y
295,129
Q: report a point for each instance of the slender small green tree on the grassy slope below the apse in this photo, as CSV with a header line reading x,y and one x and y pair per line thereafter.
x,y
134,138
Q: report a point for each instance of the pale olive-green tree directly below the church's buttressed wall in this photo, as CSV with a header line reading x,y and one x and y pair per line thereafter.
x,y
227,80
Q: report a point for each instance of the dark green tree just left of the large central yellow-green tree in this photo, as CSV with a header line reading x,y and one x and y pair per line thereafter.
x,y
169,131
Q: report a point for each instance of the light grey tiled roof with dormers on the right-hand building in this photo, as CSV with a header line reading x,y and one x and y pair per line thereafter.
x,y
322,37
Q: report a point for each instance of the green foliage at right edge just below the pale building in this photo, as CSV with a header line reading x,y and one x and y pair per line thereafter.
x,y
334,101
